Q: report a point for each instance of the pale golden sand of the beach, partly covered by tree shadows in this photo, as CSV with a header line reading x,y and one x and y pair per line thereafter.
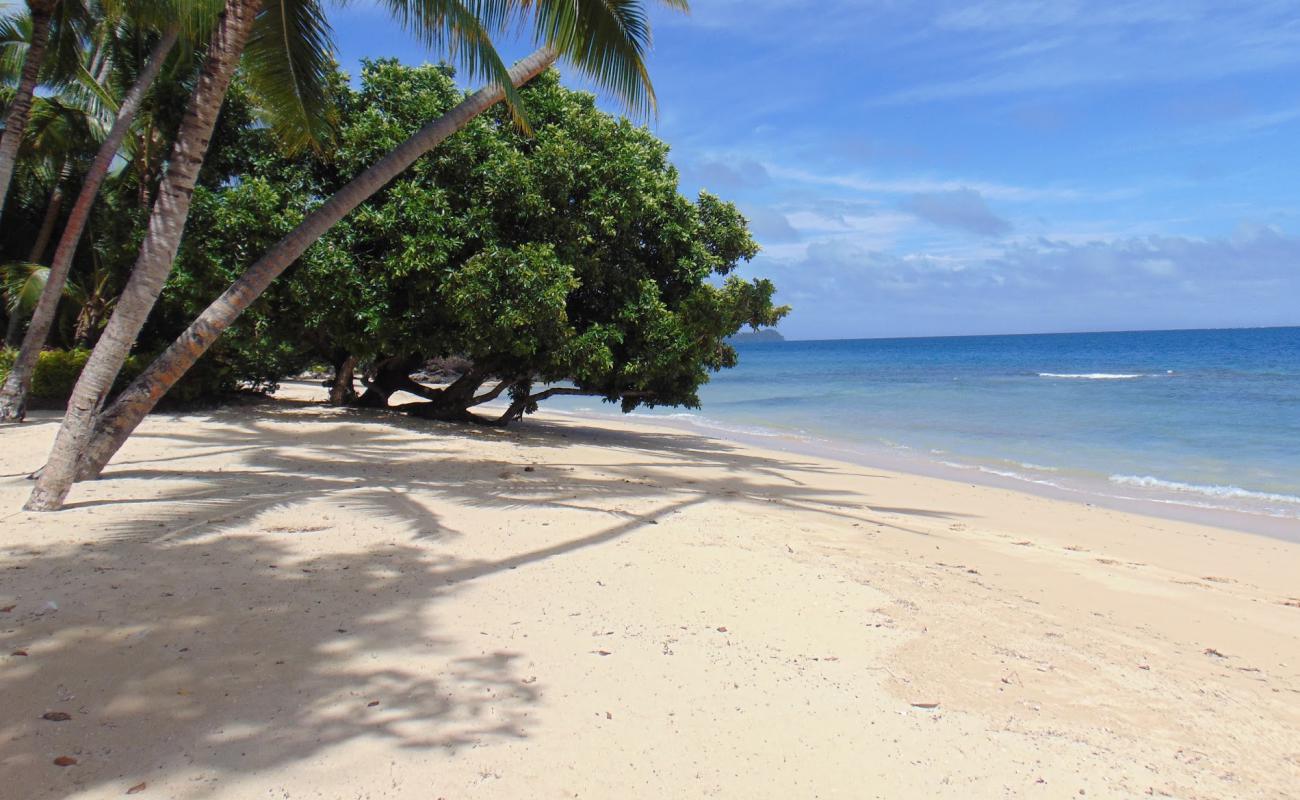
x,y
294,602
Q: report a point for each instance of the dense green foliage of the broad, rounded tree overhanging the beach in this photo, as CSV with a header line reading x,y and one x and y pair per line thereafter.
x,y
561,256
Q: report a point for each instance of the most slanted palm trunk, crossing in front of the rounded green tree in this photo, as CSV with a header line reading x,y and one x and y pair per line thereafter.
x,y
118,423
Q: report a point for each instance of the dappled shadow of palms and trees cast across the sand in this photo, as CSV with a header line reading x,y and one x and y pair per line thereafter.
x,y
187,619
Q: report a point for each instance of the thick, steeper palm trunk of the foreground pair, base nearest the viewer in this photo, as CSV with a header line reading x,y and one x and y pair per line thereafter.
x,y
158,253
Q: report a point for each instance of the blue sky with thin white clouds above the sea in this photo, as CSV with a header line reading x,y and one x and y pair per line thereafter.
x,y
943,168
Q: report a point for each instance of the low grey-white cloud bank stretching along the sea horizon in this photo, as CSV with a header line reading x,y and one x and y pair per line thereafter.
x,y
840,288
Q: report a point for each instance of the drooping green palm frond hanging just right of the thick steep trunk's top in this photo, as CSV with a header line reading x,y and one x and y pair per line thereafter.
x,y
289,62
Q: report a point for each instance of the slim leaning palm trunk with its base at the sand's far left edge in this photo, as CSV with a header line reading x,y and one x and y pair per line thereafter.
x,y
14,397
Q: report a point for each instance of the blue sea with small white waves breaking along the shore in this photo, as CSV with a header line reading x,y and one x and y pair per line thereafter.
x,y
1202,420
